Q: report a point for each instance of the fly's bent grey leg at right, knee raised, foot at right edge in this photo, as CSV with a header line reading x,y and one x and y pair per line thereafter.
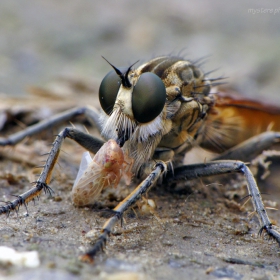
x,y
195,171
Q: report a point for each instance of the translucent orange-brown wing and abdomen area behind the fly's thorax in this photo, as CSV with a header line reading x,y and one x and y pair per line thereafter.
x,y
234,119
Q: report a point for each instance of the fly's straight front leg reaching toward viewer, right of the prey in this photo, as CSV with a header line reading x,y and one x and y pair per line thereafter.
x,y
119,210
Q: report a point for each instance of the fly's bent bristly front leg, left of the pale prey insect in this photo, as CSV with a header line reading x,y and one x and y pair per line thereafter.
x,y
89,142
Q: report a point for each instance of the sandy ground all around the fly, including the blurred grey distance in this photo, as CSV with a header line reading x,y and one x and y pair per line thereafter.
x,y
201,232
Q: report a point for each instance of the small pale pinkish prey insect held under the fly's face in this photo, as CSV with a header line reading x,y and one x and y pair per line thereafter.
x,y
106,169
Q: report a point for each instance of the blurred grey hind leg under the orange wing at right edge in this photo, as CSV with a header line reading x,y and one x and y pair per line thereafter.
x,y
249,149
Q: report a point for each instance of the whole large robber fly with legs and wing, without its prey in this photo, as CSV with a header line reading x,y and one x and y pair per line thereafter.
x,y
156,113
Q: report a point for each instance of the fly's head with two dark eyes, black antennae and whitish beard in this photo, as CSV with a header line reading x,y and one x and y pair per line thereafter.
x,y
134,104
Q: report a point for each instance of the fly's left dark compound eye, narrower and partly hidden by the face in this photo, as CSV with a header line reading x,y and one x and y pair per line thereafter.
x,y
108,90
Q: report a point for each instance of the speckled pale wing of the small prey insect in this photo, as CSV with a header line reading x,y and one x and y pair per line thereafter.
x,y
90,184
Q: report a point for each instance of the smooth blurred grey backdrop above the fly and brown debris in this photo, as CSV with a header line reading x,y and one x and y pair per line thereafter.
x,y
42,40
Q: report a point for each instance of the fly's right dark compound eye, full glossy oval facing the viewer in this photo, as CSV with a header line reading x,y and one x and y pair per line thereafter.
x,y
148,97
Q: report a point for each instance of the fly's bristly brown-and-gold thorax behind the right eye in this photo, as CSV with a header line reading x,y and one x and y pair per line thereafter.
x,y
188,98
